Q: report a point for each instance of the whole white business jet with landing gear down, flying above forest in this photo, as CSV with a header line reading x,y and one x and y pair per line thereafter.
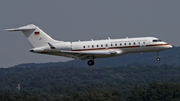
x,y
91,50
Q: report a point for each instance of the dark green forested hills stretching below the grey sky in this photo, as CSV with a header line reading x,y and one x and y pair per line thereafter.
x,y
133,77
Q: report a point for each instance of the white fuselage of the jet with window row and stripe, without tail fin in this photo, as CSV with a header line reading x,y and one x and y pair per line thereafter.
x,y
101,48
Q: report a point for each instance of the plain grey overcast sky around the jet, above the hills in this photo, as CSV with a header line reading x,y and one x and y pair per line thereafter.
x,y
72,20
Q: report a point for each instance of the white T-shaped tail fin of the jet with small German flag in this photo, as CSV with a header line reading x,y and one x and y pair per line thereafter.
x,y
35,35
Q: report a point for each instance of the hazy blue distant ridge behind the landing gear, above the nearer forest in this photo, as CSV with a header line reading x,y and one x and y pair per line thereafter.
x,y
170,57
